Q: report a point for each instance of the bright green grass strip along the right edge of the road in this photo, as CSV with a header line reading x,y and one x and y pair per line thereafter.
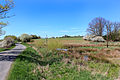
x,y
24,65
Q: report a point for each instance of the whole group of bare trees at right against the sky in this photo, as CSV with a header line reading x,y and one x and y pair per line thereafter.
x,y
101,27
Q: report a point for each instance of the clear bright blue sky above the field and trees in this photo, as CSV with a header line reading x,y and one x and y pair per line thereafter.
x,y
59,17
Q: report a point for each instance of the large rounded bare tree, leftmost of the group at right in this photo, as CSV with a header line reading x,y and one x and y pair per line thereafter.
x,y
96,26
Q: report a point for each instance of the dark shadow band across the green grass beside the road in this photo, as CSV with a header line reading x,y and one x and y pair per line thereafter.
x,y
37,59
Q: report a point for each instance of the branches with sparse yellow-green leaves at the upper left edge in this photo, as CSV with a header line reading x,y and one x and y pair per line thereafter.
x,y
5,7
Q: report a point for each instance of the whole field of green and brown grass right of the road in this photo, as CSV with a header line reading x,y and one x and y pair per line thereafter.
x,y
92,61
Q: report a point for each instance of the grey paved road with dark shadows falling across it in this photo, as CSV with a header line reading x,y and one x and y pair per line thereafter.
x,y
7,58
